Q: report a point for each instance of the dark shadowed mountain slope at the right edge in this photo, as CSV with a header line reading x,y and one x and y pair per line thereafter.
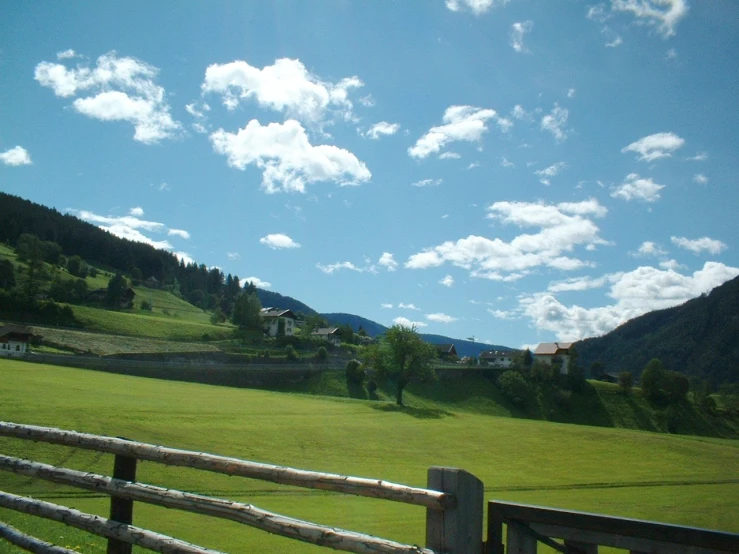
x,y
699,338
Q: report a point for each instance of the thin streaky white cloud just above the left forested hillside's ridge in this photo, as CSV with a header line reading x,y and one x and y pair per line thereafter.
x,y
132,227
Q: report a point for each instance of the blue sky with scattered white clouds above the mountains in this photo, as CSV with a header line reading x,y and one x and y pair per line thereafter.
x,y
519,171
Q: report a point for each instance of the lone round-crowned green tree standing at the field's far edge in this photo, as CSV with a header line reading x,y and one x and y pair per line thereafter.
x,y
402,356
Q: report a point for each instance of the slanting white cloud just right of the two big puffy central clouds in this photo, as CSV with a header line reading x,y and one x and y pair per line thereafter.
x,y
461,123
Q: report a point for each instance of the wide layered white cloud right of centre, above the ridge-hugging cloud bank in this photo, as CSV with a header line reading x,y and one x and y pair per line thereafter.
x,y
562,228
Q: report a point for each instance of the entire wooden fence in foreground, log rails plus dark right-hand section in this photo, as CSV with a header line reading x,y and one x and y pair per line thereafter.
x,y
453,502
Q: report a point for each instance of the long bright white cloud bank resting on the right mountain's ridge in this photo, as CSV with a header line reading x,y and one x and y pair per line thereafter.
x,y
637,292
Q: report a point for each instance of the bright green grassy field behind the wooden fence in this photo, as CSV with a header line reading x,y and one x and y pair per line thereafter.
x,y
685,480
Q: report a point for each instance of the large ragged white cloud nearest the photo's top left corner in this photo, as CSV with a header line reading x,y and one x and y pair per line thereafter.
x,y
124,90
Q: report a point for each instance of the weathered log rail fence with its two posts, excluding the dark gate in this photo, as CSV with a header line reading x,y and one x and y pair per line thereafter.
x,y
453,500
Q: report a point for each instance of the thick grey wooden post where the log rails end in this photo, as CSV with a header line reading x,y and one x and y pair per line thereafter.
x,y
456,530
